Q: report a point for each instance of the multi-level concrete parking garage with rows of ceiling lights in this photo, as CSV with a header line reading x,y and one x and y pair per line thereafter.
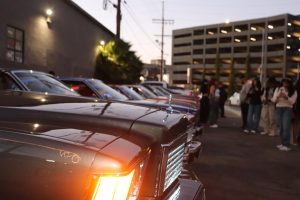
x,y
197,48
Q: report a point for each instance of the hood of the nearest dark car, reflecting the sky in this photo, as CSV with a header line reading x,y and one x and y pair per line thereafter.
x,y
83,121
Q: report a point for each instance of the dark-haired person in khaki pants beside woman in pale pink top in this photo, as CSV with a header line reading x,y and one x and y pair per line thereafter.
x,y
268,114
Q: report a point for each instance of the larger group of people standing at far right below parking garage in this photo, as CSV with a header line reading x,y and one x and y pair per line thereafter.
x,y
275,104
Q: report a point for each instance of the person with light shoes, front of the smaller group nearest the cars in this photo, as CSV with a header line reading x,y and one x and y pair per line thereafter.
x,y
214,96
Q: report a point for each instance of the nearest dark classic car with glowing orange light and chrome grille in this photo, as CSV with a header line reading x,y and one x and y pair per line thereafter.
x,y
59,147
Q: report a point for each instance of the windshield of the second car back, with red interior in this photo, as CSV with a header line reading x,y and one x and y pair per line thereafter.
x,y
105,91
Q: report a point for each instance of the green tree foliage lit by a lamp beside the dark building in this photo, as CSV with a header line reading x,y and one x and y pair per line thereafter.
x,y
116,63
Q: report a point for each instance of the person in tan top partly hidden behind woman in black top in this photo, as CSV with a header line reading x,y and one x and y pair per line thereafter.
x,y
246,85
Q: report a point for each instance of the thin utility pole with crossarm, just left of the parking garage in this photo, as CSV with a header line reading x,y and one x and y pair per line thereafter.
x,y
163,21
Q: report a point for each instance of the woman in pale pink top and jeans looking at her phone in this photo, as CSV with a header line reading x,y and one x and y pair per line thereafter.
x,y
285,97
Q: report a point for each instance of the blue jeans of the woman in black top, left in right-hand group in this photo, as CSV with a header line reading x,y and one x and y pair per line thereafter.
x,y
253,117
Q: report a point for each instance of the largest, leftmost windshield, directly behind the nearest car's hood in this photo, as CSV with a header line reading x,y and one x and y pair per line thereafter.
x,y
39,82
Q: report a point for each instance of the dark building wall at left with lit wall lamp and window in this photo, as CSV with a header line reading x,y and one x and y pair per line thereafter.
x,y
68,46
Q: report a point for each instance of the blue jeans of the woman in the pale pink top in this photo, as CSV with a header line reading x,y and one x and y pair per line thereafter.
x,y
284,115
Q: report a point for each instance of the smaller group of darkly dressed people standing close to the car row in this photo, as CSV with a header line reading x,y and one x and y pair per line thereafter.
x,y
212,102
